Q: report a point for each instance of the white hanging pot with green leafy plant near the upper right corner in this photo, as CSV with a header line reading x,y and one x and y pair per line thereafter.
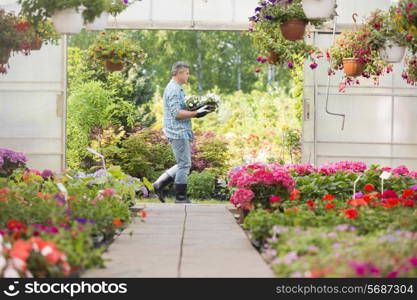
x,y
385,36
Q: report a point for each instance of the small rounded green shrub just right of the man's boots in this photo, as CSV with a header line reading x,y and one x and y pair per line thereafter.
x,y
201,185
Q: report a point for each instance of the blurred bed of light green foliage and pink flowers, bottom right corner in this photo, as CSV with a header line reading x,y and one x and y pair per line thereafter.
x,y
340,252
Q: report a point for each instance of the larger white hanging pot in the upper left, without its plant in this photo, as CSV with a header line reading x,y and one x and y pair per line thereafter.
x,y
68,21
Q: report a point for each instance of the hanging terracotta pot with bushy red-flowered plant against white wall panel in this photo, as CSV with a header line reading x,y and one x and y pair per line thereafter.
x,y
354,54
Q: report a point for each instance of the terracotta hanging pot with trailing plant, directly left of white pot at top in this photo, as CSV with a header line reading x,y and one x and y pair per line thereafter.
x,y
287,14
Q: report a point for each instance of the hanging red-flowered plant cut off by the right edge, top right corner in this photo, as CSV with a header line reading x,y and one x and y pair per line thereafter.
x,y
406,22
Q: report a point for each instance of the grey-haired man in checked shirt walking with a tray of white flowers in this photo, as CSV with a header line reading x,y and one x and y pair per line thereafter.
x,y
177,128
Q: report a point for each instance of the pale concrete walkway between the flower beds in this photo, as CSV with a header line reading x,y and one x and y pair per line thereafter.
x,y
197,240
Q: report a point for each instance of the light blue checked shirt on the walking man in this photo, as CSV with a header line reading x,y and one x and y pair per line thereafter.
x,y
174,101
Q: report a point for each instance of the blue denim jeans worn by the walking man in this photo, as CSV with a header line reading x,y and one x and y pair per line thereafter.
x,y
182,152
